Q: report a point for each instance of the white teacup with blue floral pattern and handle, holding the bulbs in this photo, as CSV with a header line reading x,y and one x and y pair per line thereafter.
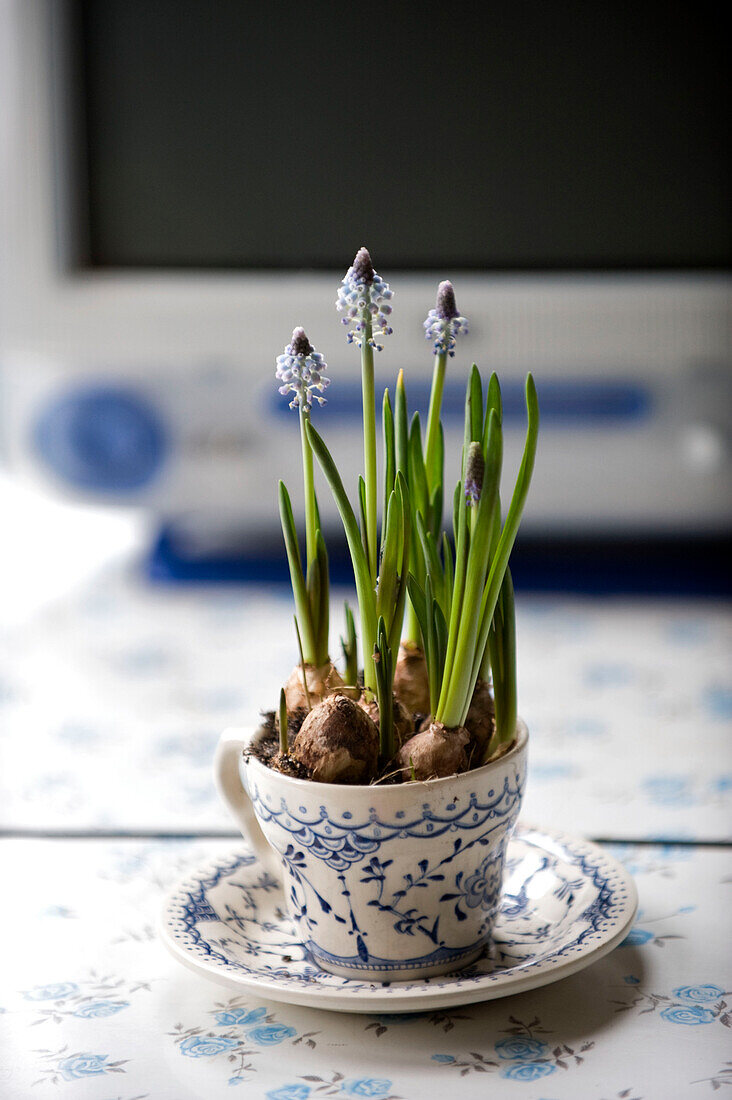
x,y
387,883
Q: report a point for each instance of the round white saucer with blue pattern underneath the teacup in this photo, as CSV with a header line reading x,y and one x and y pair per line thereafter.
x,y
566,904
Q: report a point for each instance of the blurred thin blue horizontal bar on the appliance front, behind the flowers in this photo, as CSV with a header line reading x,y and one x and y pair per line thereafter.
x,y
564,404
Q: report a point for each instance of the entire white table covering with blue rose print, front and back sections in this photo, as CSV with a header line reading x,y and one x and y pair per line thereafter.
x,y
112,701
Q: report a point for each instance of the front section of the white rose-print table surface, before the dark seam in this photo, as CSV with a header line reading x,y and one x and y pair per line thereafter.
x,y
88,911
